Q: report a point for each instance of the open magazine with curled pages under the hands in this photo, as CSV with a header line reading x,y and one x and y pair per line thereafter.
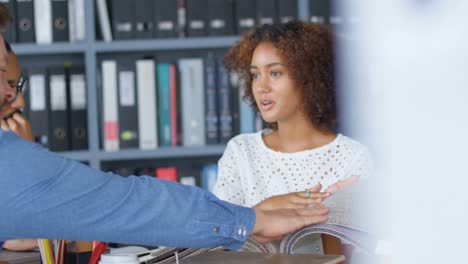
x,y
347,221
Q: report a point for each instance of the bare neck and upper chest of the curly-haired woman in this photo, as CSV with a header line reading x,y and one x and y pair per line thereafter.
x,y
298,136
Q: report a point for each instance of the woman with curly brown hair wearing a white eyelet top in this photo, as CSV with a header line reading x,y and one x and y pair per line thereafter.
x,y
288,76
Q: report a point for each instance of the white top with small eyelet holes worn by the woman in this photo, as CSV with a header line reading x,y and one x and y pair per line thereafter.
x,y
250,172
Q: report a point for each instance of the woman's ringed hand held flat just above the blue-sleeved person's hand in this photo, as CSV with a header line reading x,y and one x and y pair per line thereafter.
x,y
294,200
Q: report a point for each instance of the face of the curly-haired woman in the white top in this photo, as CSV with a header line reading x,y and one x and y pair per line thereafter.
x,y
274,91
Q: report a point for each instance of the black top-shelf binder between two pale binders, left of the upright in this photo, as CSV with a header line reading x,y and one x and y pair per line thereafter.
x,y
60,22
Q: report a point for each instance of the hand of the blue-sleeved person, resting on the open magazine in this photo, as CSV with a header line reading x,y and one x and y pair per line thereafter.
x,y
271,225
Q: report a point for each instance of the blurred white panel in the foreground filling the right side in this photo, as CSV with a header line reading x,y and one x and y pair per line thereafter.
x,y
404,91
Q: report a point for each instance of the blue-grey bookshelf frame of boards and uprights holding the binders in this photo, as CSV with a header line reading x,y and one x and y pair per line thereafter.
x,y
91,49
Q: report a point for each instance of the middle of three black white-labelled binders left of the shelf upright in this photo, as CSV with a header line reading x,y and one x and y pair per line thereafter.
x,y
58,122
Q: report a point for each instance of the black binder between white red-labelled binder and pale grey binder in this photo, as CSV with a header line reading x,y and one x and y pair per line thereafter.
x,y
128,104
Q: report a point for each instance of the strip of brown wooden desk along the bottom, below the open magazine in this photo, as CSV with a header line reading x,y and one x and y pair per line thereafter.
x,y
230,257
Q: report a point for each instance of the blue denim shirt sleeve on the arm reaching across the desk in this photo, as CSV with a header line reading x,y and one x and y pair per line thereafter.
x,y
44,195
